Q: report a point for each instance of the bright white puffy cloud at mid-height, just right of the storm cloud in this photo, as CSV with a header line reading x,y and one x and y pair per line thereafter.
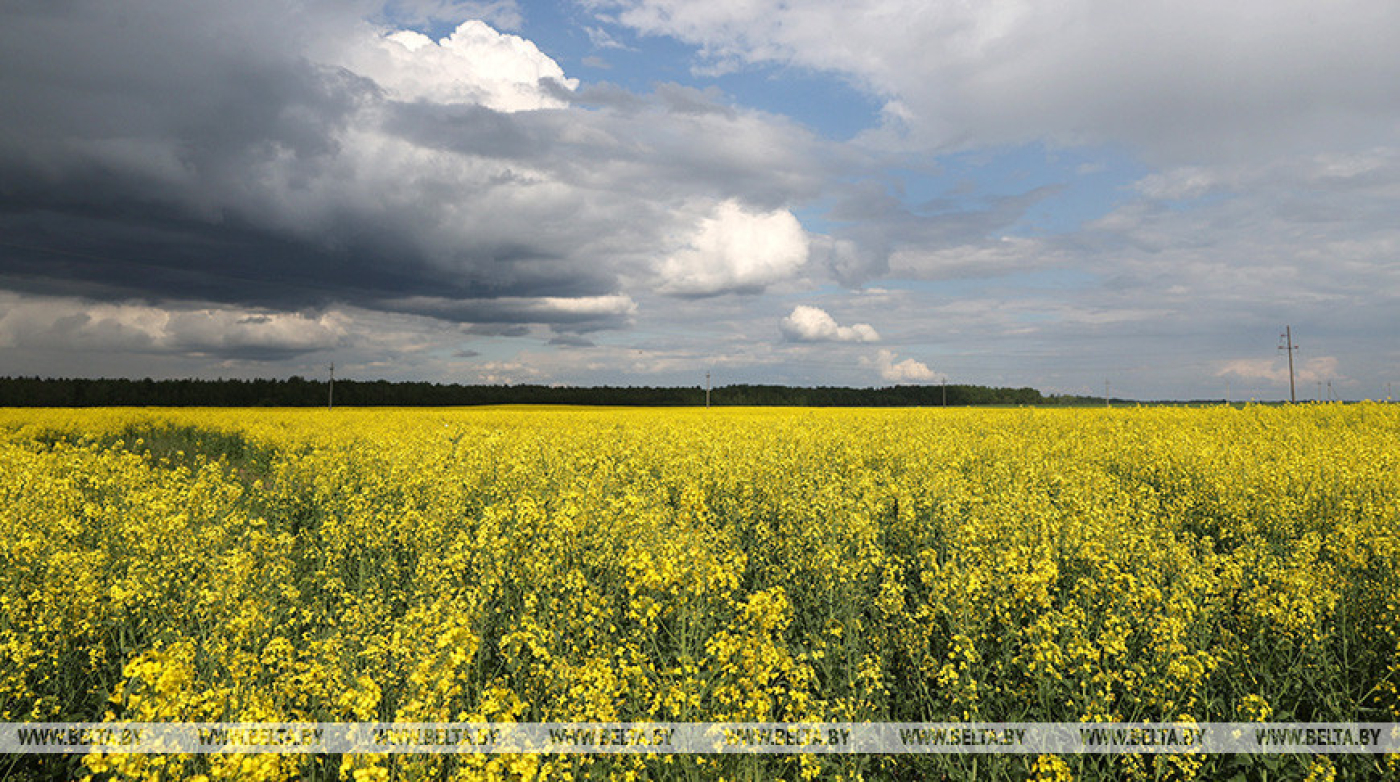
x,y
736,251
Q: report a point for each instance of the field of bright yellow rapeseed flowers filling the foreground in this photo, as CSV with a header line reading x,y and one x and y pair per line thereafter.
x,y
689,566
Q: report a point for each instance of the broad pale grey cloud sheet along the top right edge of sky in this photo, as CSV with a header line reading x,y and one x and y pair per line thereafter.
x,y
1179,80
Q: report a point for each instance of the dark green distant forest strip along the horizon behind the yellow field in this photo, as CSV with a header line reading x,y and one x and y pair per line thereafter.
x,y
300,392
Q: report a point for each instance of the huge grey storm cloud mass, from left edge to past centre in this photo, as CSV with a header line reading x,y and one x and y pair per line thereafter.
x,y
202,152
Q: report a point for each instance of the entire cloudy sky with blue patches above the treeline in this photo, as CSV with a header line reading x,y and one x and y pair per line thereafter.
x,y
1072,195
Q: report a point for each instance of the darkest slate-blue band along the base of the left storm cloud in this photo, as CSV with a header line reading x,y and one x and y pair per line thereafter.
x,y
157,255
